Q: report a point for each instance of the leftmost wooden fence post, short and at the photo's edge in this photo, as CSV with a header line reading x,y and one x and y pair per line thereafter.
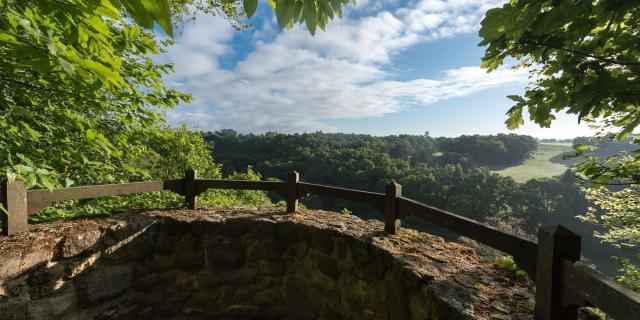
x,y
14,201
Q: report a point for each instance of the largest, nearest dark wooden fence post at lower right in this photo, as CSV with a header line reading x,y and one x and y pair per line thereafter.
x,y
555,243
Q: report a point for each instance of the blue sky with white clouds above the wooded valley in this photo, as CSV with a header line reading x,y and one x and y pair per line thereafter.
x,y
386,67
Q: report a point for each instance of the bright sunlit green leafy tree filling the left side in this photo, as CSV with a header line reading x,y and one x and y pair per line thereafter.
x,y
80,95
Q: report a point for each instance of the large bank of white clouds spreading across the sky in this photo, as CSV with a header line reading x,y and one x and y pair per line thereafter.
x,y
293,82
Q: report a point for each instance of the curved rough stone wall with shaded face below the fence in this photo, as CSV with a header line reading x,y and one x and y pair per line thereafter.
x,y
247,264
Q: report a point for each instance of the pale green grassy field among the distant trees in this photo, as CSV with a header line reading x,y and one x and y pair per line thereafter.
x,y
540,166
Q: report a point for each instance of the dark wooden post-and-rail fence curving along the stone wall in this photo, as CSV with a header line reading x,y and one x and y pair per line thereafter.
x,y
563,283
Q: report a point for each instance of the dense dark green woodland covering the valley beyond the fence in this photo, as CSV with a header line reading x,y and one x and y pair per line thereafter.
x,y
450,173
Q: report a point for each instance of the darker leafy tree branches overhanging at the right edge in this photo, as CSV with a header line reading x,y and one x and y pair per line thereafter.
x,y
583,59
